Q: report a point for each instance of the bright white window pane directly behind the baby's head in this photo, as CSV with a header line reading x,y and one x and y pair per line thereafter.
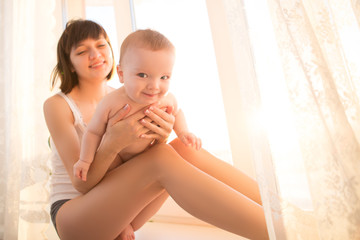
x,y
195,80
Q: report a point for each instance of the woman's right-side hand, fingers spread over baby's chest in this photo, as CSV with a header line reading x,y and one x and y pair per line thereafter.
x,y
159,122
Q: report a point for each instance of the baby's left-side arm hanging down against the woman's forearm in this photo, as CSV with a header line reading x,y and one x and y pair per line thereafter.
x,y
91,140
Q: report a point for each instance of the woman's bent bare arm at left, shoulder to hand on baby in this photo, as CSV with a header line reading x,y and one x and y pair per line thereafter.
x,y
60,122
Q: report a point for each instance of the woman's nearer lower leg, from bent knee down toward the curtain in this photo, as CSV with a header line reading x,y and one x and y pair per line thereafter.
x,y
213,201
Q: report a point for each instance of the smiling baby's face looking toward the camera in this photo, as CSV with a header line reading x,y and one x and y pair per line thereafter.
x,y
146,74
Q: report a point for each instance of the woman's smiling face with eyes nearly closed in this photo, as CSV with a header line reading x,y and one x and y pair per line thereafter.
x,y
92,59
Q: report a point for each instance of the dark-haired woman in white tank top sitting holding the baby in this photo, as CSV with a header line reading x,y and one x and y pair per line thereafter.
x,y
118,199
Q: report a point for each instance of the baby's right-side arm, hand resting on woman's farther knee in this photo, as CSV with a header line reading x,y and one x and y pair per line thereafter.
x,y
181,129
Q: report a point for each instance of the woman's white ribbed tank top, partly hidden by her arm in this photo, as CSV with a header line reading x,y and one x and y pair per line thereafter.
x,y
60,183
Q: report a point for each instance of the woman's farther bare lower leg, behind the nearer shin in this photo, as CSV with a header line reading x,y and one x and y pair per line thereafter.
x,y
219,169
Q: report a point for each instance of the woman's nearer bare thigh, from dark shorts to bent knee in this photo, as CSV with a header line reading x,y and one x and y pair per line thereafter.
x,y
106,210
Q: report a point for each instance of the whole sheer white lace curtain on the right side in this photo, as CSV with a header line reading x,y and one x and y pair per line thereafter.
x,y
303,112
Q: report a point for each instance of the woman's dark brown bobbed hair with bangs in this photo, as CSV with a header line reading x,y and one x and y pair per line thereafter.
x,y
75,32
